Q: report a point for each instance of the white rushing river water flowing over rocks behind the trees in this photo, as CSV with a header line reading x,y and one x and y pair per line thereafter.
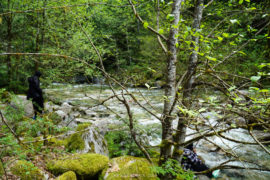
x,y
79,104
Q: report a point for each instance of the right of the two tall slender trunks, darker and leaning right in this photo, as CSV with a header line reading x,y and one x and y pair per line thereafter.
x,y
189,81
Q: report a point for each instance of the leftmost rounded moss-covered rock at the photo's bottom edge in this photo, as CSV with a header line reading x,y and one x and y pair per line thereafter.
x,y
26,170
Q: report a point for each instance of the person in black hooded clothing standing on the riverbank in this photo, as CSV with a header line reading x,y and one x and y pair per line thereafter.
x,y
35,93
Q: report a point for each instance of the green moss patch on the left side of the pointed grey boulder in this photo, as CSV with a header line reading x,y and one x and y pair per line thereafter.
x,y
75,141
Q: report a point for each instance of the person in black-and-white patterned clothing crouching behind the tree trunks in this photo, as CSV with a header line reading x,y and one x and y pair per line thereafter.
x,y
192,162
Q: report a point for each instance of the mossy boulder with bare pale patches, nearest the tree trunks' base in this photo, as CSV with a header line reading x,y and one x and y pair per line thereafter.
x,y
128,167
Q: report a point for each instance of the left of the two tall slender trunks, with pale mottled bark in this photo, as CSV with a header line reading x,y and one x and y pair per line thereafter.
x,y
170,89
